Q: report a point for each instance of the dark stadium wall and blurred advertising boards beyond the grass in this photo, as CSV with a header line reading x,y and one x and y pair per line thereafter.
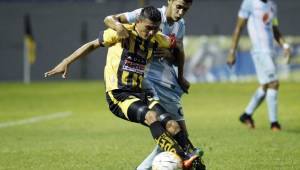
x,y
59,27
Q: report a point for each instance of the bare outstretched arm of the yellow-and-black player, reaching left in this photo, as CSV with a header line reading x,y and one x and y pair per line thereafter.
x,y
62,67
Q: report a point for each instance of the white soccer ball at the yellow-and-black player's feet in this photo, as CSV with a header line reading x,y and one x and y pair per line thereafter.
x,y
167,161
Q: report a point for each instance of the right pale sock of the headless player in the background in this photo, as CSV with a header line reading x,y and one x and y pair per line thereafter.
x,y
271,99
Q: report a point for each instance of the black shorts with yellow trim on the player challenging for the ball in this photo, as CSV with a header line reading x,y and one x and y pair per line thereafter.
x,y
128,105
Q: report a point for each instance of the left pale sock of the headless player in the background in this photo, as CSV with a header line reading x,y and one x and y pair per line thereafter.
x,y
255,101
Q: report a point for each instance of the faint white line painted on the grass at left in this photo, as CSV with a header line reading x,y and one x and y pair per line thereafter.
x,y
35,119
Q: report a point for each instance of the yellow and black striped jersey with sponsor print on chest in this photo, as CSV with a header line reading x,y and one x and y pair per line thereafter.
x,y
127,58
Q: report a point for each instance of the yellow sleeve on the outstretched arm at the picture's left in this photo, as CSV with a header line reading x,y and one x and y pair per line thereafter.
x,y
108,37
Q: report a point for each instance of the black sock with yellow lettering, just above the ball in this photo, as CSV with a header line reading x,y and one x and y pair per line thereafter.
x,y
164,140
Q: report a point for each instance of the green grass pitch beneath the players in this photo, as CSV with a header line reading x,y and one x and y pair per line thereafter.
x,y
91,138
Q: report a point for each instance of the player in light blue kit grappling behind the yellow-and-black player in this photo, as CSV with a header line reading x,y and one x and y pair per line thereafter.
x,y
164,77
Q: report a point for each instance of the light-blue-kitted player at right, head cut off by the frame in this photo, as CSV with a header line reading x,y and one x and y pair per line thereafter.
x,y
262,22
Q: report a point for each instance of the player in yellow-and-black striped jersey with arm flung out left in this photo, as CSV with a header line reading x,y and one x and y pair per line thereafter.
x,y
124,72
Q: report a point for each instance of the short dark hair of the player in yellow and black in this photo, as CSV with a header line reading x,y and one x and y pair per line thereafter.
x,y
151,13
